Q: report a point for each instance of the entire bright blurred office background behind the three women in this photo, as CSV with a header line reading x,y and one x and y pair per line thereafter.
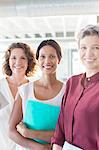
x,y
32,21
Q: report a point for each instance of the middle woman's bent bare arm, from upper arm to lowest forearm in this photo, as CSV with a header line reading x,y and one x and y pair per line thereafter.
x,y
15,118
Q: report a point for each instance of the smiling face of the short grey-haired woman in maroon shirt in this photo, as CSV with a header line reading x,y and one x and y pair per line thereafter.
x,y
89,53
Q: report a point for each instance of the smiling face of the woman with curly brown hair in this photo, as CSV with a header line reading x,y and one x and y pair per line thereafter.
x,y
18,61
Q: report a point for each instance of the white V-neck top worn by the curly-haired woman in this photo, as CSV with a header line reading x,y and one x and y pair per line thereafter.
x,y
5,142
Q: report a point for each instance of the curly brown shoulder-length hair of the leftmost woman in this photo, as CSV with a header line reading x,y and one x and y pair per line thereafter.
x,y
29,54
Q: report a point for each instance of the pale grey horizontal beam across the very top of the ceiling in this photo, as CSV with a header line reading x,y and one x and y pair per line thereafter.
x,y
33,8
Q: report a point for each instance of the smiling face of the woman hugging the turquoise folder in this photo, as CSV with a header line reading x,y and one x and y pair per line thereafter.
x,y
48,59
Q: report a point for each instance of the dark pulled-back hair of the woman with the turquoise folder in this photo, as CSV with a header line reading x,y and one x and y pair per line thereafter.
x,y
51,43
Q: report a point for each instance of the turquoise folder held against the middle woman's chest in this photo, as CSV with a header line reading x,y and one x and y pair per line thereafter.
x,y
41,116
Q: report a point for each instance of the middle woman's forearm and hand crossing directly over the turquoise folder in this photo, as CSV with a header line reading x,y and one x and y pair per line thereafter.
x,y
29,133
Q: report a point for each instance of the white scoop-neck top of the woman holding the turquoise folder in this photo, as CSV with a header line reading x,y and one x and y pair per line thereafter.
x,y
26,92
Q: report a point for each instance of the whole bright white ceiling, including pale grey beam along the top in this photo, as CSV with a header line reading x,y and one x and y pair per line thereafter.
x,y
45,18
